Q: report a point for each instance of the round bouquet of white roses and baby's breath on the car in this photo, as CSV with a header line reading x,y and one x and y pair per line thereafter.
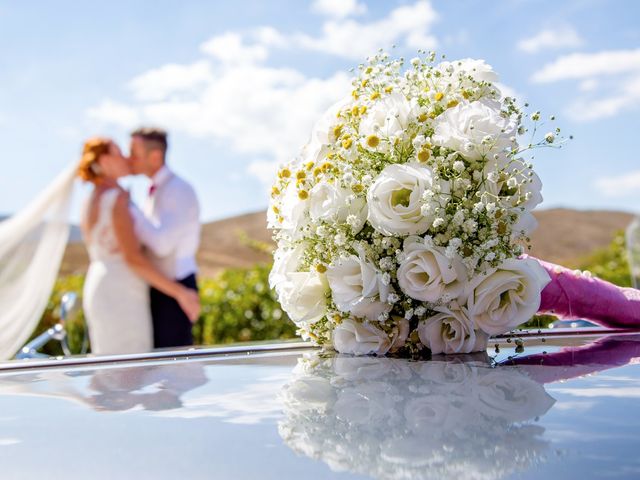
x,y
400,225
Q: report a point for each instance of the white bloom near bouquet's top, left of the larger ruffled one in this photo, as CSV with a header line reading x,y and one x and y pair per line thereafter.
x,y
388,117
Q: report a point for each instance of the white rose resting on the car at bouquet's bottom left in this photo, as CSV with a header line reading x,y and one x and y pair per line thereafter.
x,y
360,338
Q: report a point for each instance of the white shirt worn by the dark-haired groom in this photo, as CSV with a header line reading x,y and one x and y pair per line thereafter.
x,y
170,226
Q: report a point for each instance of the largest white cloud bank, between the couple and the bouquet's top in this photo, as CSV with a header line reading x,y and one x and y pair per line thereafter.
x,y
232,95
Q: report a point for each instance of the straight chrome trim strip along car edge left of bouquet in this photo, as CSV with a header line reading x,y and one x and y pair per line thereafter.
x,y
58,362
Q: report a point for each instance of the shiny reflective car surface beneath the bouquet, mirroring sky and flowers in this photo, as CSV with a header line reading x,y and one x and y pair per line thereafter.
x,y
566,407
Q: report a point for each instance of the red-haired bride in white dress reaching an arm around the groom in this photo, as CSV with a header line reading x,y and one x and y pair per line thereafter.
x,y
116,290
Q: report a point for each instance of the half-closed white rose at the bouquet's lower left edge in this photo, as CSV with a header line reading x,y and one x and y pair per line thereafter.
x,y
303,297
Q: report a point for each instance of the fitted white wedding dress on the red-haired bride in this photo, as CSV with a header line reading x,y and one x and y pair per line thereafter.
x,y
115,299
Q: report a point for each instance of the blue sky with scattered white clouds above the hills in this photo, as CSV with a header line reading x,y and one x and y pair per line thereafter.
x,y
239,84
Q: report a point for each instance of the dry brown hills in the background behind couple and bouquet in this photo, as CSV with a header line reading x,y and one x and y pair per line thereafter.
x,y
563,236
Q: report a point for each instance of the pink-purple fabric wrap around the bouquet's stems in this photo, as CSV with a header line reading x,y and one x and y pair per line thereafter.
x,y
572,294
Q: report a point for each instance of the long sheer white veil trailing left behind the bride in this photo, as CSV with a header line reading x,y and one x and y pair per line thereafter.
x,y
32,244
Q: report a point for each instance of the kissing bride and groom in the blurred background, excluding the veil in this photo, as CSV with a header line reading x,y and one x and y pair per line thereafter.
x,y
140,290
